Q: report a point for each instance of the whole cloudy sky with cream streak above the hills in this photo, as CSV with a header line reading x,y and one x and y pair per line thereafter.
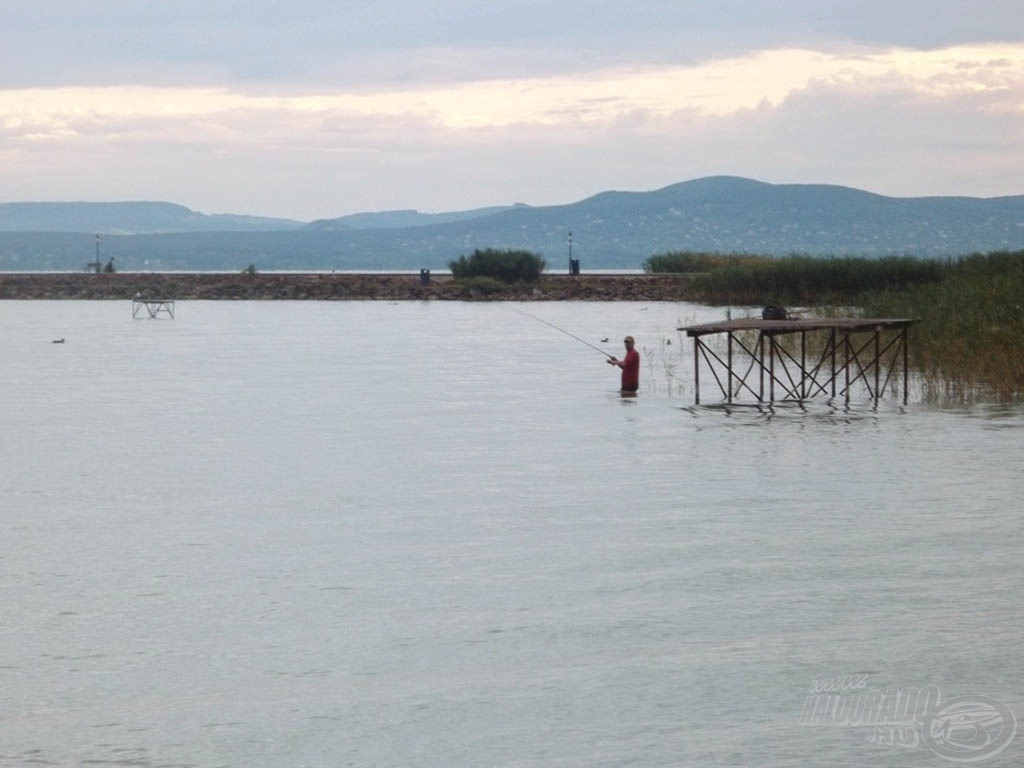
x,y
318,109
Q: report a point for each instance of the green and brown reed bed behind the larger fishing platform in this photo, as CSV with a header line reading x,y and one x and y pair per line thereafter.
x,y
967,342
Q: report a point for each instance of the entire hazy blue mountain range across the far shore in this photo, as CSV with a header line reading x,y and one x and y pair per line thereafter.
x,y
610,231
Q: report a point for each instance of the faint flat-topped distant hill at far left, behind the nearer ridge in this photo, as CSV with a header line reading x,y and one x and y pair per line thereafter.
x,y
126,219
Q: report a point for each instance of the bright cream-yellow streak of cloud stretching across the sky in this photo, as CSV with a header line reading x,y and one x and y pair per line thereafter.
x,y
719,88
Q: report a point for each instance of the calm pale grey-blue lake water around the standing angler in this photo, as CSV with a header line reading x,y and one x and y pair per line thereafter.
x,y
280,535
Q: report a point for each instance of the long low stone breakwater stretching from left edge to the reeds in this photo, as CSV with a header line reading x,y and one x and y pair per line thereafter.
x,y
332,287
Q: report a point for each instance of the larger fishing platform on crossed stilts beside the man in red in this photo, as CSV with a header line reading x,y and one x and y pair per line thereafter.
x,y
796,360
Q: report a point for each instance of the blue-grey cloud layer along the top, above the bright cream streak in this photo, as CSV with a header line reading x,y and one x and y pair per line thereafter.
x,y
316,44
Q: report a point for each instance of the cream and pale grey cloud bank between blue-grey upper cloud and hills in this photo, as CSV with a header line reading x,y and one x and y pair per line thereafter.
x,y
890,120
